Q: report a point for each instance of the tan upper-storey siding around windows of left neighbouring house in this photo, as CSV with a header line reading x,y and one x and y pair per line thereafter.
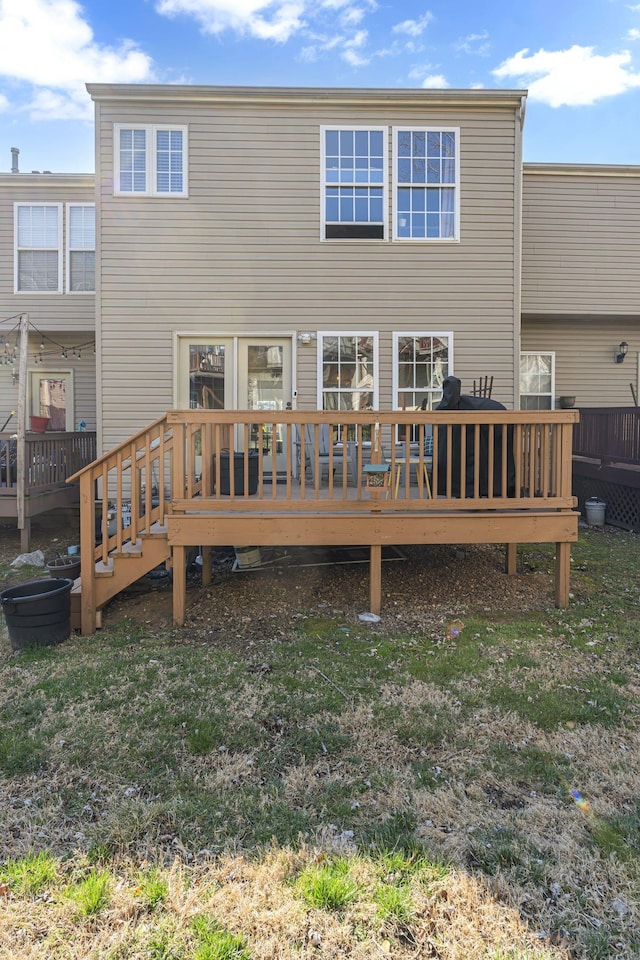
x,y
55,311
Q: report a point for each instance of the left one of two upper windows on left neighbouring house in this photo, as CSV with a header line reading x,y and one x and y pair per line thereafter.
x,y
38,243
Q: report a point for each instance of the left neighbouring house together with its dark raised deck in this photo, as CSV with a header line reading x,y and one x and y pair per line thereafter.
x,y
47,289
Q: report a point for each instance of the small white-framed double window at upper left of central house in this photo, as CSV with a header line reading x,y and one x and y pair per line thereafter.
x,y
150,160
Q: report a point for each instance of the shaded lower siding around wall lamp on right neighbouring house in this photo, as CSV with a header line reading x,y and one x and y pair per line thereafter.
x,y
585,365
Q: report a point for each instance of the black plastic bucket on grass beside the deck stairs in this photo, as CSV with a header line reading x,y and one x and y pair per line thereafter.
x,y
38,612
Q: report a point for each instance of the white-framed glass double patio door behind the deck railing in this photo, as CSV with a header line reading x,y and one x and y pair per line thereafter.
x,y
238,373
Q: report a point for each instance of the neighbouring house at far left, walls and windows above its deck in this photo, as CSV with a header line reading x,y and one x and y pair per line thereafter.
x,y
47,271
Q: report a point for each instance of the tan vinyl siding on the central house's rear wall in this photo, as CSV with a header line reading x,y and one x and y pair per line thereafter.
x,y
243,252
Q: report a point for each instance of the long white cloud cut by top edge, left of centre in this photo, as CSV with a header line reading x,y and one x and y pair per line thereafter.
x,y
274,20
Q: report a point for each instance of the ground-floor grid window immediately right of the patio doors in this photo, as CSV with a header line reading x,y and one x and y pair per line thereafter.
x,y
348,371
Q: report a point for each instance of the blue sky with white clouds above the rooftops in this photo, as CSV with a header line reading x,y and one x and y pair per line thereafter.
x,y
580,62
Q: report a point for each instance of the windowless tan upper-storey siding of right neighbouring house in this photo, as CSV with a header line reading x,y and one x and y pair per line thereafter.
x,y
581,242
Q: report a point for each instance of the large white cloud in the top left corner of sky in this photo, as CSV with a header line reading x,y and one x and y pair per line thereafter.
x,y
48,44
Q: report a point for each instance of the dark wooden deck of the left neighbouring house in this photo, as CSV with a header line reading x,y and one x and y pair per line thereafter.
x,y
49,459
